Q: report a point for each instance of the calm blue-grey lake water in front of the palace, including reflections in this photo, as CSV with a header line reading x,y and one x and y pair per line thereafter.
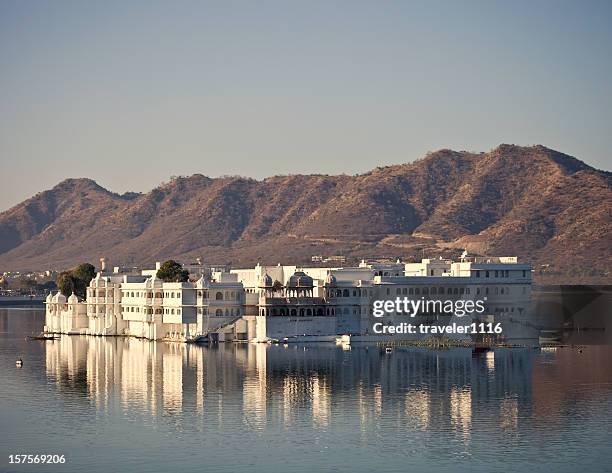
x,y
121,405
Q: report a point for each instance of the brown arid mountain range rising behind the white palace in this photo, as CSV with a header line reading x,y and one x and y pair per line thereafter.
x,y
544,206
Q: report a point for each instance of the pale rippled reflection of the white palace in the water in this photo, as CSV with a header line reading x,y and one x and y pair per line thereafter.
x,y
262,384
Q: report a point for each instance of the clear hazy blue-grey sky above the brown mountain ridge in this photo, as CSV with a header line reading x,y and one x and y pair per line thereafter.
x,y
130,93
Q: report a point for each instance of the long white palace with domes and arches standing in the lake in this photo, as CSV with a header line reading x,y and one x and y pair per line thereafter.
x,y
268,303
